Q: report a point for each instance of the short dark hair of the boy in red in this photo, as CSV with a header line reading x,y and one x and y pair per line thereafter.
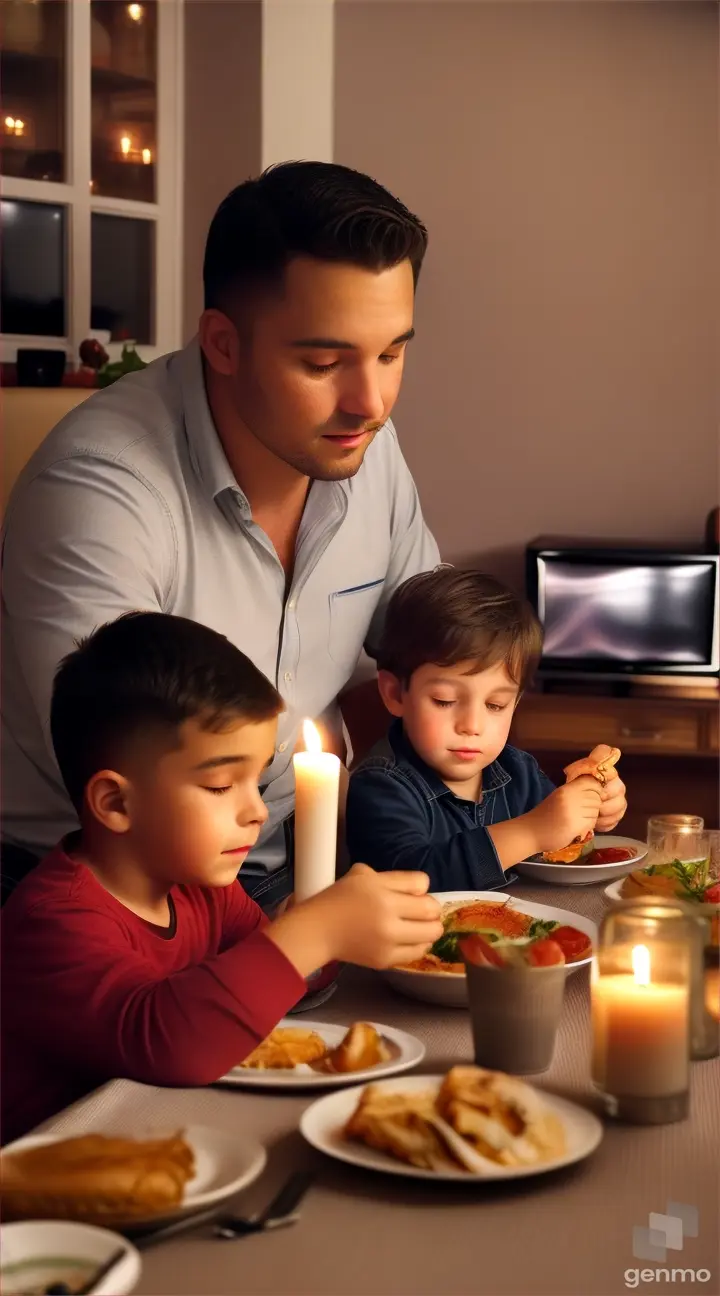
x,y
142,675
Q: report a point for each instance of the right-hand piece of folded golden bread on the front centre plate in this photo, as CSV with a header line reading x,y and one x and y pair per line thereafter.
x,y
502,1118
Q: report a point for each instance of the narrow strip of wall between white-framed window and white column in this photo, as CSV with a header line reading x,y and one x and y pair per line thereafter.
x,y
222,122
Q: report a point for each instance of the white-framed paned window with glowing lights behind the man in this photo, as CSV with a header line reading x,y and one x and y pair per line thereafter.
x,y
91,138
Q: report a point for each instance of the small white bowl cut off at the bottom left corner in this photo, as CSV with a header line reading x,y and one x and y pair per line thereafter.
x,y
41,1253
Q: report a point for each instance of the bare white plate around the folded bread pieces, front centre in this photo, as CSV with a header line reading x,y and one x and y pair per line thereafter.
x,y
324,1122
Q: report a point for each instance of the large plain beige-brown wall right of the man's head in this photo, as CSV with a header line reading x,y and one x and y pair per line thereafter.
x,y
565,160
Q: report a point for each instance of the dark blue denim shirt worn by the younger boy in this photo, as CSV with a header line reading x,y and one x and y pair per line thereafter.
x,y
402,816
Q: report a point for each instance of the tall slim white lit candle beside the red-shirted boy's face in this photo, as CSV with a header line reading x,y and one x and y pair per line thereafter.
x,y
318,776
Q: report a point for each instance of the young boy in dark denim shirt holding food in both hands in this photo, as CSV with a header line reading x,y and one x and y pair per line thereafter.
x,y
446,794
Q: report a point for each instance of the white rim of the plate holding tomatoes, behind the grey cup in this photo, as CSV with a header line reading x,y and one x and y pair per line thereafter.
x,y
450,989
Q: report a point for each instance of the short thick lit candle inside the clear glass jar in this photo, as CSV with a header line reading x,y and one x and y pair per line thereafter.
x,y
640,1034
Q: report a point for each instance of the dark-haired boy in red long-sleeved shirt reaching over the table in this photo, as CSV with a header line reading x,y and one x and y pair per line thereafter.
x,y
131,952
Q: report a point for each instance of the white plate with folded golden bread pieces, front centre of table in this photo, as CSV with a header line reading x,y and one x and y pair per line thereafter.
x,y
469,1126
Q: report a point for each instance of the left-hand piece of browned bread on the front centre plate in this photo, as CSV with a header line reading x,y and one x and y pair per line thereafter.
x,y
403,1126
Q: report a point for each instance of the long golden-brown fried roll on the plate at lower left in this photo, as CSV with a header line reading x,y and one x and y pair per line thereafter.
x,y
95,1179
